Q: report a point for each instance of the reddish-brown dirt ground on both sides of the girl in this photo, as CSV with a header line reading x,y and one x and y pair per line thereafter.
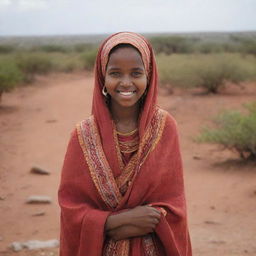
x,y
35,125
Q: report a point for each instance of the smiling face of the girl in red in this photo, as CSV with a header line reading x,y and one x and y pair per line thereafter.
x,y
125,78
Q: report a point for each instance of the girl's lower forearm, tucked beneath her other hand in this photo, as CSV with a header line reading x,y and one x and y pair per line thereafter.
x,y
128,231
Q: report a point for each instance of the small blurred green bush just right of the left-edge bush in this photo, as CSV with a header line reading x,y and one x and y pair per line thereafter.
x,y
32,64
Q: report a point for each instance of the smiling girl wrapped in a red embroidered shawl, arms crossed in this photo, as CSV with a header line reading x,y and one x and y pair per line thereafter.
x,y
122,190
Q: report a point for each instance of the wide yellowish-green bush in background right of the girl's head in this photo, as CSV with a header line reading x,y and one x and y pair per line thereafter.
x,y
208,71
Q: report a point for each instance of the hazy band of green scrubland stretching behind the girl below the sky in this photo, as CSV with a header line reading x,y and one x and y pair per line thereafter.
x,y
199,60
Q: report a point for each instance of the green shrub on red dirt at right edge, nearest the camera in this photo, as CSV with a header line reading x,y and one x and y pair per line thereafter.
x,y
235,131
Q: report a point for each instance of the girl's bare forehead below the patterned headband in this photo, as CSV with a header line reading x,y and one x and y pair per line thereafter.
x,y
125,56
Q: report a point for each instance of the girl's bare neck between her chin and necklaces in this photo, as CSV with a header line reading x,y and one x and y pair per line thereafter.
x,y
124,114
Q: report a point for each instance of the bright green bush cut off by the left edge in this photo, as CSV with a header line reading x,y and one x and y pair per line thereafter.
x,y
10,76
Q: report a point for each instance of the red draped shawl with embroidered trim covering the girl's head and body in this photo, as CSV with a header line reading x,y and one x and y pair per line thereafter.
x,y
95,183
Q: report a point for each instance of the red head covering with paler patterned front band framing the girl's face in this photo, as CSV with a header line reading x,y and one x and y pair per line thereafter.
x,y
99,108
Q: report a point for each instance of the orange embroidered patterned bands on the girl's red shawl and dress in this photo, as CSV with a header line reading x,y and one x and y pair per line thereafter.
x,y
111,190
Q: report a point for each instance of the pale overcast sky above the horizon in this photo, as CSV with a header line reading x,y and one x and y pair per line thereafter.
x,y
58,17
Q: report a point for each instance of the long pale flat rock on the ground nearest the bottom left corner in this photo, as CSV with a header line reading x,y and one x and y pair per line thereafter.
x,y
34,244
